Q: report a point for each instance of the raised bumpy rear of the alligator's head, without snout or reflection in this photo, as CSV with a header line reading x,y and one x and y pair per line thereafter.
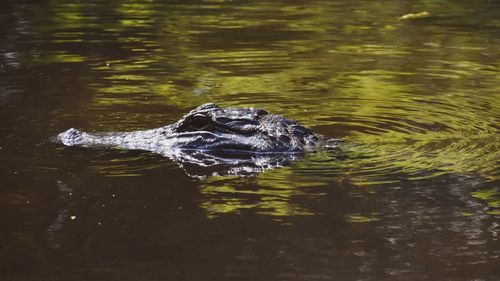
x,y
239,130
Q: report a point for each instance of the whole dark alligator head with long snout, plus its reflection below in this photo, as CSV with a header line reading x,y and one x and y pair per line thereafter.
x,y
211,140
